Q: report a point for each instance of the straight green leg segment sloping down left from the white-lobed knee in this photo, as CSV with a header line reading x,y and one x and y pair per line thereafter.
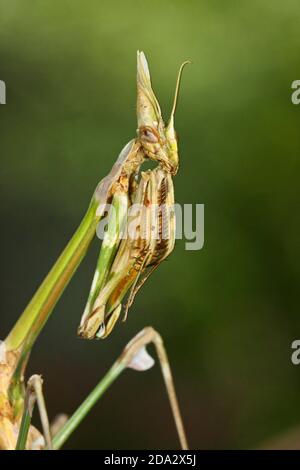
x,y
64,433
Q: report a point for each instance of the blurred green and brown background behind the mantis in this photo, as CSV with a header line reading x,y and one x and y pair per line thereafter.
x,y
229,312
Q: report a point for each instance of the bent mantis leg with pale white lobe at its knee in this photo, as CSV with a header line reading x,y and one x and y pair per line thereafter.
x,y
136,357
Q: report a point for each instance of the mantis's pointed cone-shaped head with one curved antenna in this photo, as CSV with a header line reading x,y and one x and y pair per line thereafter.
x,y
159,141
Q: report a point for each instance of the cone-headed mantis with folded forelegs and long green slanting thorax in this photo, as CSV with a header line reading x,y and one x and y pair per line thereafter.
x,y
121,263
